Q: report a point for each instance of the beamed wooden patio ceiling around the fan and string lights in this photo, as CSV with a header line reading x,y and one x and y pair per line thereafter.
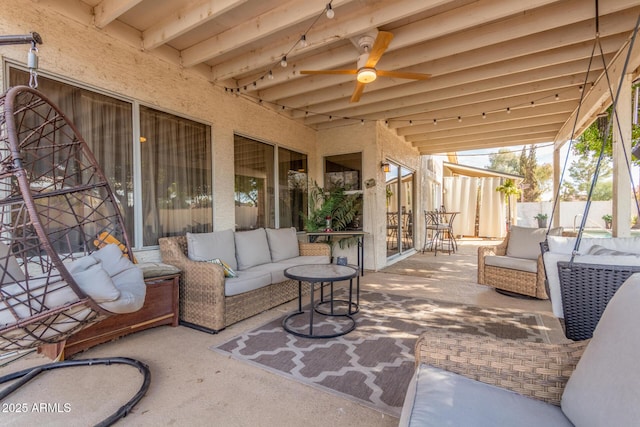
x,y
520,64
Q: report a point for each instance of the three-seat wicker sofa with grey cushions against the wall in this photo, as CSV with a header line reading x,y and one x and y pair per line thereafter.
x,y
210,301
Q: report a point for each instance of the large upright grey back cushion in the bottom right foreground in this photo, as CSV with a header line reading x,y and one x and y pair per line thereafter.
x,y
603,390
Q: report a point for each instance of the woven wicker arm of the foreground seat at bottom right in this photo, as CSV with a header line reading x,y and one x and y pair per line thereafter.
x,y
536,370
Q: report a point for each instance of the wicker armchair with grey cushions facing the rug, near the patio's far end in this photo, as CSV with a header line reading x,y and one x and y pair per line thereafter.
x,y
515,265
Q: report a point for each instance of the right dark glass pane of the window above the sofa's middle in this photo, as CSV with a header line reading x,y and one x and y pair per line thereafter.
x,y
292,188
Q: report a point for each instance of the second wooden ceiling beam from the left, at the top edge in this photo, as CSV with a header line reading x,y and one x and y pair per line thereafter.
x,y
184,20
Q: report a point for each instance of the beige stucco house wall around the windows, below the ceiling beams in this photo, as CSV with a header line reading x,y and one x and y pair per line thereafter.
x,y
77,52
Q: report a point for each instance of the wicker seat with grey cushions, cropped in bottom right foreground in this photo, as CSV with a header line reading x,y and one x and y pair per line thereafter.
x,y
463,379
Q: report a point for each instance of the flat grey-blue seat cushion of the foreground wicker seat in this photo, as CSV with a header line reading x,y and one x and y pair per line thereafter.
x,y
439,398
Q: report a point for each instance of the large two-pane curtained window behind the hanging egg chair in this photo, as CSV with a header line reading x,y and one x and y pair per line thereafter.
x,y
175,158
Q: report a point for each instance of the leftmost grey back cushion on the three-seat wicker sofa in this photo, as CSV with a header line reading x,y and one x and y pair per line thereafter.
x,y
208,246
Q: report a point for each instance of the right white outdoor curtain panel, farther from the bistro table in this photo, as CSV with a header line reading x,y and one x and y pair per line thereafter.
x,y
492,220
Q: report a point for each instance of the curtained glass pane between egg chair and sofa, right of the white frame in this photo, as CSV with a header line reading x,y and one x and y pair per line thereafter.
x,y
176,165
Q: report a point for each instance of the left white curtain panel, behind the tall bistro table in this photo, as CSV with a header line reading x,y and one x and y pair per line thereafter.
x,y
460,195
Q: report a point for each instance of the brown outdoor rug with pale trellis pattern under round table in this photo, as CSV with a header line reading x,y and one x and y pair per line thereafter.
x,y
374,363
